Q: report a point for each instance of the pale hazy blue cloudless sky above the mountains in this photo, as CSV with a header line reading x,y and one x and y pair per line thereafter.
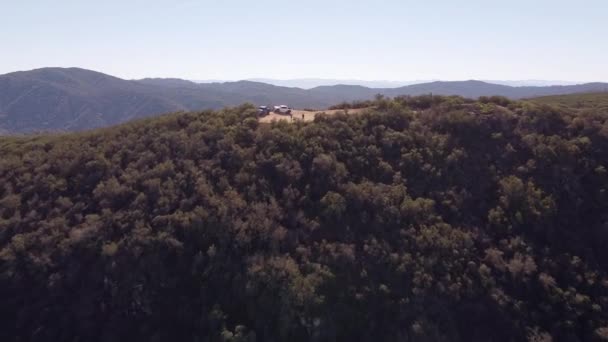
x,y
236,39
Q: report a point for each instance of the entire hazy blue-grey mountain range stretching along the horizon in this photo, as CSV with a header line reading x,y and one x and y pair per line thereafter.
x,y
69,99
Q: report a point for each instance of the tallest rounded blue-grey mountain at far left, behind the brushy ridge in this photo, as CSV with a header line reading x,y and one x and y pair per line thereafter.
x,y
72,99
